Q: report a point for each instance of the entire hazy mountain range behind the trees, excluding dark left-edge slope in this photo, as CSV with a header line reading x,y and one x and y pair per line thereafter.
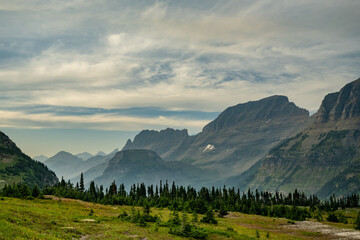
x,y
269,144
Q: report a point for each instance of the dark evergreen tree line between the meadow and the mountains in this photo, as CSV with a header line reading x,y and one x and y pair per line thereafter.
x,y
294,206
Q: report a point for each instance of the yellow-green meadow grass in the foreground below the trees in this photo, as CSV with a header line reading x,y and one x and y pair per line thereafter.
x,y
63,219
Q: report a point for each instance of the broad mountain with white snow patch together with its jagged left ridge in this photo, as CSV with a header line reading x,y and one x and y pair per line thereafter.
x,y
235,140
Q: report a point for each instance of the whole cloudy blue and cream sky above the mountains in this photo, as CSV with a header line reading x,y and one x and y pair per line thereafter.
x,y
86,75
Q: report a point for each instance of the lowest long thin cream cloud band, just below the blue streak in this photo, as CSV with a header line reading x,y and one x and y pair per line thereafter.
x,y
99,121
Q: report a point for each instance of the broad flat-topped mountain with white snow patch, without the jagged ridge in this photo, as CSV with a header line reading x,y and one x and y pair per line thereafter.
x,y
243,134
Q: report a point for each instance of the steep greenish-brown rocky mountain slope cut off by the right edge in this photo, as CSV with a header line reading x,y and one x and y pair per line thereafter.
x,y
322,159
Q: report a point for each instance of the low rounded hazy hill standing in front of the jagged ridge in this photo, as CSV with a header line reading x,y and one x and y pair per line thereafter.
x,y
137,165
